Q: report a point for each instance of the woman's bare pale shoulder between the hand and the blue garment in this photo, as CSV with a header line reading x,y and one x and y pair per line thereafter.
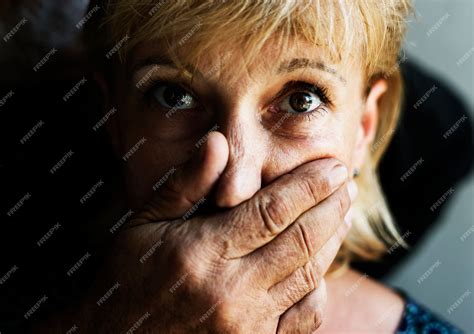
x,y
356,303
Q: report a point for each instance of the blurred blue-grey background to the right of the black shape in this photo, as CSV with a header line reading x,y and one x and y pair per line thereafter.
x,y
441,40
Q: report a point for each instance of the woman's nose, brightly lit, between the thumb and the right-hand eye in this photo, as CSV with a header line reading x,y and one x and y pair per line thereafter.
x,y
242,177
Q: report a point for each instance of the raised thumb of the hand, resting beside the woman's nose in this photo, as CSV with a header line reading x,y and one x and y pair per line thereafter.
x,y
191,182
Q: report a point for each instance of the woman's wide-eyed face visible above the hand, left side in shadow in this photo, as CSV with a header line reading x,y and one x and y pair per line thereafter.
x,y
276,115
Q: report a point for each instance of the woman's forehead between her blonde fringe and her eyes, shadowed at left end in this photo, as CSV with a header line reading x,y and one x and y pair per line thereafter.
x,y
273,59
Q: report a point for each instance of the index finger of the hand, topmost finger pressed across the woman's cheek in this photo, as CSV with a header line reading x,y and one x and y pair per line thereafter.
x,y
271,210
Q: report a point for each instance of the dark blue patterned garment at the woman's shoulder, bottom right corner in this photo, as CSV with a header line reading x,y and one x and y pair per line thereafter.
x,y
416,319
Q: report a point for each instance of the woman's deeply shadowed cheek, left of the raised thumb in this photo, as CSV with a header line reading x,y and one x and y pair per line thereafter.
x,y
169,142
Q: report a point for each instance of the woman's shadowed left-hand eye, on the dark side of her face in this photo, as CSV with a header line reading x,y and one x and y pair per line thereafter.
x,y
173,97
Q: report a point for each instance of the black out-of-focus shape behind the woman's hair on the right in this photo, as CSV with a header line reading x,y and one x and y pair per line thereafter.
x,y
432,150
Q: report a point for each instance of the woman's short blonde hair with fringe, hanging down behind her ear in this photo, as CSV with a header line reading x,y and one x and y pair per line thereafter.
x,y
373,29
